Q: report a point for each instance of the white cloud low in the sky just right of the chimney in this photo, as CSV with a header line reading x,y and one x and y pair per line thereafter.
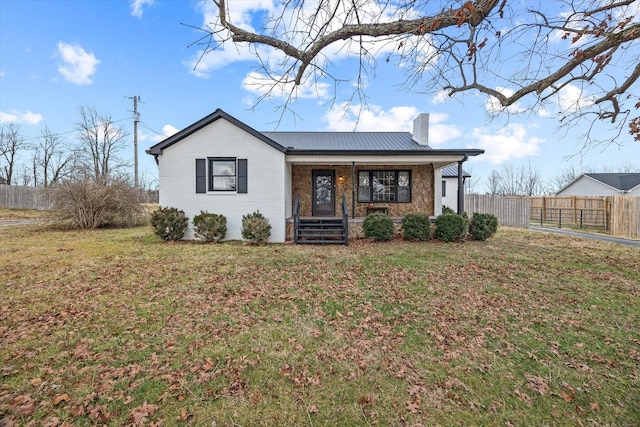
x,y
507,143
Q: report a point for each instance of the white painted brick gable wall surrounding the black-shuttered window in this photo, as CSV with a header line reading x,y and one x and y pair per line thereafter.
x,y
266,178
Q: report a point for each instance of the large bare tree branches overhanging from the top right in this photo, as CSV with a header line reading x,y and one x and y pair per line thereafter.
x,y
523,55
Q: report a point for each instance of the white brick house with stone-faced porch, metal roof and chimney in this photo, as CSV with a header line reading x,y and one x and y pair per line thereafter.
x,y
221,165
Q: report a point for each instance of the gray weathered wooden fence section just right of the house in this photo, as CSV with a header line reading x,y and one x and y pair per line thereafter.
x,y
512,211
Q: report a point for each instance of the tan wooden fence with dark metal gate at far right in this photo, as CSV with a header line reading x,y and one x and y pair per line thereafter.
x,y
618,215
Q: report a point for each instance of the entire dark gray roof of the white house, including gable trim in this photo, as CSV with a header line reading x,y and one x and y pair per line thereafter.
x,y
322,143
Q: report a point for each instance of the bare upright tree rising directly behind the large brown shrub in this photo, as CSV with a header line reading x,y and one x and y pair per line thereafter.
x,y
101,140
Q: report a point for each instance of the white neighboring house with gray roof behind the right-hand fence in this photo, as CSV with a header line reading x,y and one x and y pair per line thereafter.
x,y
603,184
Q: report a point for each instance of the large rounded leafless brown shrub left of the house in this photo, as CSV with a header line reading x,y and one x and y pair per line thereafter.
x,y
88,204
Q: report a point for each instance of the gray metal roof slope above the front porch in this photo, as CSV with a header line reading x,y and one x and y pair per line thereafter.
x,y
346,141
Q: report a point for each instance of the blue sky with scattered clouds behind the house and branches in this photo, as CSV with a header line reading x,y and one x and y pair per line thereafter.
x,y
57,55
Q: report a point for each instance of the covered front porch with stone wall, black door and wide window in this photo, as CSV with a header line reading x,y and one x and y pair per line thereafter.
x,y
333,191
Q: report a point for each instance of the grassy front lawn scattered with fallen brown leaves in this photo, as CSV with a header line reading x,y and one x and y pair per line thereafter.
x,y
114,327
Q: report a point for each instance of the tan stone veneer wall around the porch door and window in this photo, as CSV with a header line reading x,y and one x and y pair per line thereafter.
x,y
421,189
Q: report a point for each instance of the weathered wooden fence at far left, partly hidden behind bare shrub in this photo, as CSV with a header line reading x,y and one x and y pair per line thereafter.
x,y
20,197
